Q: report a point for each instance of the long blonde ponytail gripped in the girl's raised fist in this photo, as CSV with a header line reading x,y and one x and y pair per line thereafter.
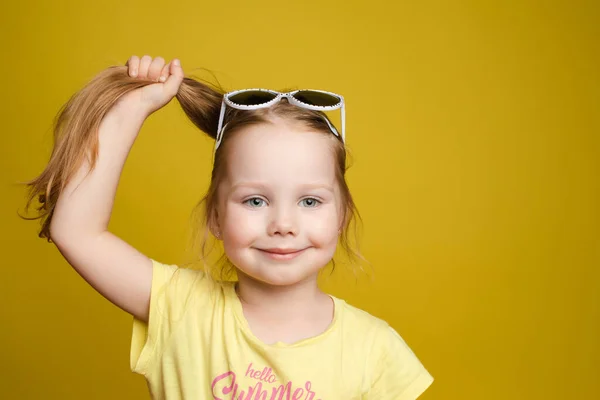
x,y
76,127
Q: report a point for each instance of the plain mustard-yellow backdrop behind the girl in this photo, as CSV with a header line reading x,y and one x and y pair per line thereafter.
x,y
474,127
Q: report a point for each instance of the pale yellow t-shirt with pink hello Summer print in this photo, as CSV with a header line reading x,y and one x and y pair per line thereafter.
x,y
198,345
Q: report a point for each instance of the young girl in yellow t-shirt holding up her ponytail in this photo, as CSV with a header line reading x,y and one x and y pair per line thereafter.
x,y
278,201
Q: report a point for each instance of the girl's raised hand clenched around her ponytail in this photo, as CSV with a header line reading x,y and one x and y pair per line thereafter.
x,y
152,97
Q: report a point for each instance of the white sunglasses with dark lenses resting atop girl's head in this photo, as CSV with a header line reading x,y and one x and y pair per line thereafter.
x,y
252,99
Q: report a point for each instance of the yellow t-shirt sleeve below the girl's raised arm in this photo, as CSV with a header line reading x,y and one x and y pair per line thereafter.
x,y
171,289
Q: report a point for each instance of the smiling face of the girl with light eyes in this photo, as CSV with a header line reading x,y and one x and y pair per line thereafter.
x,y
279,209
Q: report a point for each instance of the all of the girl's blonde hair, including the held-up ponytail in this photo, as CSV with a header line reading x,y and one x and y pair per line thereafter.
x,y
76,139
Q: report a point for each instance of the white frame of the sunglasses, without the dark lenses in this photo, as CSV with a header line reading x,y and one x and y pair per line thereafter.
x,y
278,96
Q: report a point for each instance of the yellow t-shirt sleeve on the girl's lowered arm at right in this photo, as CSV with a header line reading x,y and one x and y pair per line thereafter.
x,y
399,374
